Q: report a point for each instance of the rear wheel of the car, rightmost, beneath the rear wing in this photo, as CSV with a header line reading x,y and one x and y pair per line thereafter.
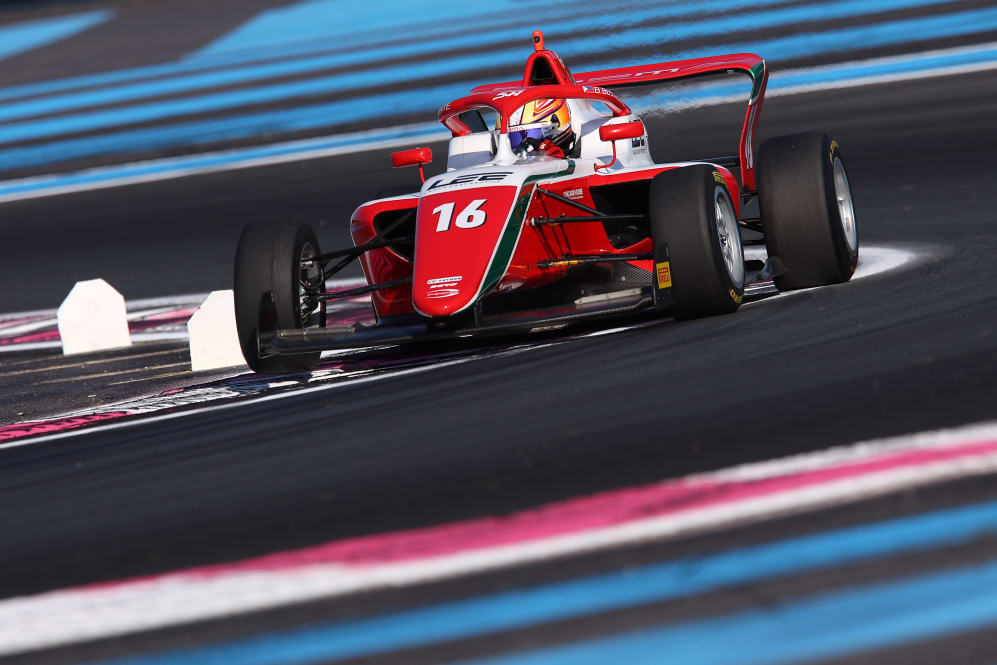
x,y
807,211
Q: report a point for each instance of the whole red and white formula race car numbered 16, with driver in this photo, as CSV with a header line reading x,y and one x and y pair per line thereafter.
x,y
550,211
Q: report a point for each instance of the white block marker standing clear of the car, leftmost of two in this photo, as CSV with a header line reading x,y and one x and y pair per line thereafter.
x,y
92,318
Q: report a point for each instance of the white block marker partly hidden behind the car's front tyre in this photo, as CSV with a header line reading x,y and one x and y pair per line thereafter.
x,y
214,341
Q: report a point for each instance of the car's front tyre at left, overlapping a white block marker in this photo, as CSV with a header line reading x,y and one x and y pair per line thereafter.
x,y
272,290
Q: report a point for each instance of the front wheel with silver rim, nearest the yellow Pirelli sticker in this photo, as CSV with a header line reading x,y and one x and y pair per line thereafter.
x,y
691,210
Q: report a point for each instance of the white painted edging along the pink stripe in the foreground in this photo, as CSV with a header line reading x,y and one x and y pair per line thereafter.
x,y
73,615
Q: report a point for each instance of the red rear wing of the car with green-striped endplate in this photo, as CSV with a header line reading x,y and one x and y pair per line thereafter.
x,y
747,63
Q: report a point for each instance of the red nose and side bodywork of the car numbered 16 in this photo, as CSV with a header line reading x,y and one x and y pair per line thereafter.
x,y
463,251
